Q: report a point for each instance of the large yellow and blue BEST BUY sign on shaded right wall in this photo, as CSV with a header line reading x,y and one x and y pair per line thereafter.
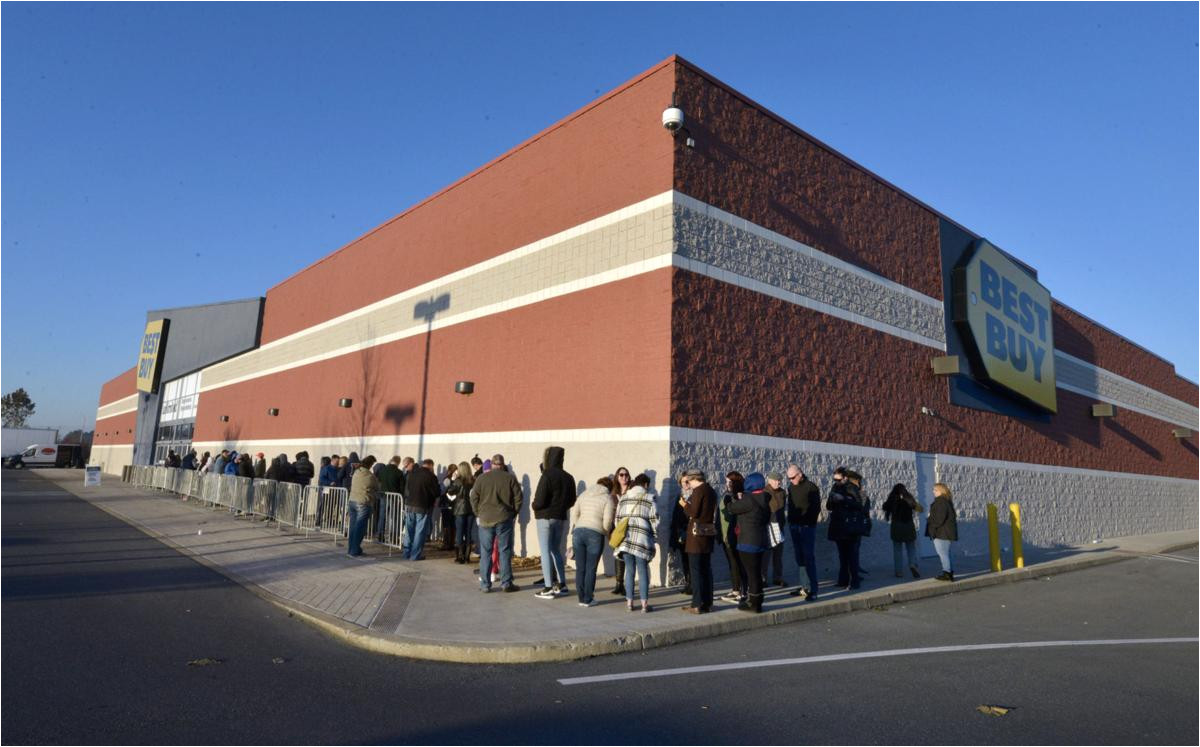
x,y
1005,318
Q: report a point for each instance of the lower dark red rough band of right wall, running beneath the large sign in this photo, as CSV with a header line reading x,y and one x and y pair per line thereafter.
x,y
844,384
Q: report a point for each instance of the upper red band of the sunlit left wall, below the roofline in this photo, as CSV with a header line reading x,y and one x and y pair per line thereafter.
x,y
604,158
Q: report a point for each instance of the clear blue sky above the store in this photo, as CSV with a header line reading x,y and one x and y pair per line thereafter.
x,y
177,154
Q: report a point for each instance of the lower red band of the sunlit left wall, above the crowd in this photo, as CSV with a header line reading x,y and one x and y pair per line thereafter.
x,y
597,358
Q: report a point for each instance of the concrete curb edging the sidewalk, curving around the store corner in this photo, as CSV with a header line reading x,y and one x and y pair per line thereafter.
x,y
567,650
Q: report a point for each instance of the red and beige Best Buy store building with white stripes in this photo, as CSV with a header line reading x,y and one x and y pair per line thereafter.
x,y
737,296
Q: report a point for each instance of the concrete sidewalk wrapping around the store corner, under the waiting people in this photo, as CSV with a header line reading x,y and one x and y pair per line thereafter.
x,y
434,609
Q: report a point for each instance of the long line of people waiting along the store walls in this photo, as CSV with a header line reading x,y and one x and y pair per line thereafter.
x,y
479,503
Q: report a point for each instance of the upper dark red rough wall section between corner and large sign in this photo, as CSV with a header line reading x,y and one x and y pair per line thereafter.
x,y
755,166
